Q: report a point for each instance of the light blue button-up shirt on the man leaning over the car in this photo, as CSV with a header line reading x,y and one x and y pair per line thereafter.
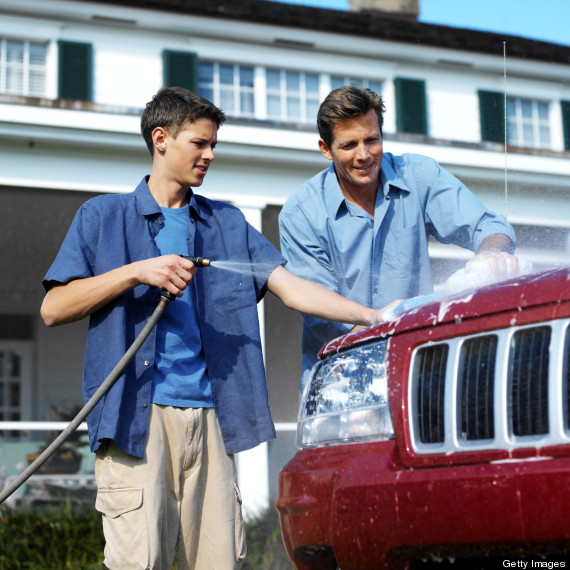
x,y
331,241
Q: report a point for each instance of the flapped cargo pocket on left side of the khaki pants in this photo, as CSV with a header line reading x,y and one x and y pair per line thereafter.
x,y
125,527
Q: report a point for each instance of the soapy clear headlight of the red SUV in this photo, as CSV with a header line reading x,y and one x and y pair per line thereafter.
x,y
346,399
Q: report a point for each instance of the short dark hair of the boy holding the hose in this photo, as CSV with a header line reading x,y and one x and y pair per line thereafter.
x,y
173,108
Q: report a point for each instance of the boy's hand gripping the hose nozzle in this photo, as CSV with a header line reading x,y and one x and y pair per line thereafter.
x,y
169,272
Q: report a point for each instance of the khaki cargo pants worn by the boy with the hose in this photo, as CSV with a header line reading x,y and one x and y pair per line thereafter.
x,y
182,494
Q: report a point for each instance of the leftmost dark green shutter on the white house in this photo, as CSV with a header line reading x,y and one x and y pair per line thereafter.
x,y
75,71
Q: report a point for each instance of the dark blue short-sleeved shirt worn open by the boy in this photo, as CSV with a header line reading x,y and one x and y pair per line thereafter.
x,y
113,230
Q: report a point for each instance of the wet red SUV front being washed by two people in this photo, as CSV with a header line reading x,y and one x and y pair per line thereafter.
x,y
444,433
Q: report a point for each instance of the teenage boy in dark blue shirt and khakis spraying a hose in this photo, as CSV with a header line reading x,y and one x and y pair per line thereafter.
x,y
195,393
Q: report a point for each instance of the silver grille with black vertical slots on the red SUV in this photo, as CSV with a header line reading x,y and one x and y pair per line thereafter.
x,y
506,388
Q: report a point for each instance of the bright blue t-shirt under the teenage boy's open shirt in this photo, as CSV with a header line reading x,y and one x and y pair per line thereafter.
x,y
179,377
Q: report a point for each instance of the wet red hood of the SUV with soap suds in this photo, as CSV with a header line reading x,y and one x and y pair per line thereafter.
x,y
547,287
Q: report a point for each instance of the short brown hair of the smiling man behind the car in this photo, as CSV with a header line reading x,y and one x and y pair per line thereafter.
x,y
347,102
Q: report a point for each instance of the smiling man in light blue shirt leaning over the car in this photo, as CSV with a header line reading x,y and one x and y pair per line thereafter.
x,y
361,227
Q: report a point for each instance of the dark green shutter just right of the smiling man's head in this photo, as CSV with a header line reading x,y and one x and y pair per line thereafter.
x,y
411,108
